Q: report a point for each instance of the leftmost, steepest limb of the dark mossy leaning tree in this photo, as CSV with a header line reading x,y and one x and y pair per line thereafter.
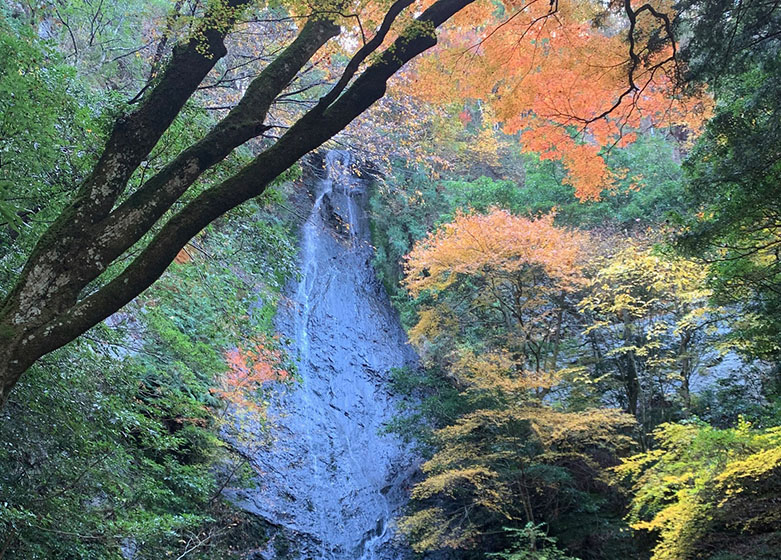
x,y
50,281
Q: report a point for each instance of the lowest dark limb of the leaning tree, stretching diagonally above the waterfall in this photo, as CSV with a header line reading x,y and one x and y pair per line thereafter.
x,y
311,130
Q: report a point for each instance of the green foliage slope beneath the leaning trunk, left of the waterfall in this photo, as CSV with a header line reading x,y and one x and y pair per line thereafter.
x,y
112,444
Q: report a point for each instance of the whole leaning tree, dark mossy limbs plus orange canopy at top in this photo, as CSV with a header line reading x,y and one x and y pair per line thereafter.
x,y
114,212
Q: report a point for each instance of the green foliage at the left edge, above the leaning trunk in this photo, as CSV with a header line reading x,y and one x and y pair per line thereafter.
x,y
48,131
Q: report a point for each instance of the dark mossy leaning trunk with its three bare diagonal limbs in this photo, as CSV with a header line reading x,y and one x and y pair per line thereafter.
x,y
47,307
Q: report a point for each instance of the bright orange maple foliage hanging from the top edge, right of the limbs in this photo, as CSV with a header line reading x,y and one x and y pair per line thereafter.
x,y
572,77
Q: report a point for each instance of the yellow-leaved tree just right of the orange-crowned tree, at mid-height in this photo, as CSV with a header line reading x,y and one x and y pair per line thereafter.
x,y
648,317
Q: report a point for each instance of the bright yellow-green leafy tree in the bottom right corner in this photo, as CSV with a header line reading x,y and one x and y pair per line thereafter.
x,y
708,493
